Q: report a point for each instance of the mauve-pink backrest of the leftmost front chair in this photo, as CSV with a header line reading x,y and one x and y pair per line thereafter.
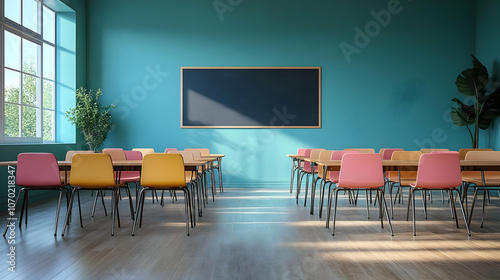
x,y
37,170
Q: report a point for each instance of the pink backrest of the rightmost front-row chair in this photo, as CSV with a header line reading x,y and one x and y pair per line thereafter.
x,y
439,171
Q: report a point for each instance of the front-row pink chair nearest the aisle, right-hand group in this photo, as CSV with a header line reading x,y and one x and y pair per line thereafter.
x,y
362,172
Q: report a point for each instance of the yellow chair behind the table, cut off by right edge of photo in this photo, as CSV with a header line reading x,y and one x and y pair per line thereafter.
x,y
491,178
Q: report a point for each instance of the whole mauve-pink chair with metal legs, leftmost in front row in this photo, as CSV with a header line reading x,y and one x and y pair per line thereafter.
x,y
37,171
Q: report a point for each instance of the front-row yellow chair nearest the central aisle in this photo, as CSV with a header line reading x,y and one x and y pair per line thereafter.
x,y
163,172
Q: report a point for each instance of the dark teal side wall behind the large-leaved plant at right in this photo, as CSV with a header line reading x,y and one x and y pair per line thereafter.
x,y
487,50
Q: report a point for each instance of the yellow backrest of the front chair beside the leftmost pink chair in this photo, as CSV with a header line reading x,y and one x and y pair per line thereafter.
x,y
92,171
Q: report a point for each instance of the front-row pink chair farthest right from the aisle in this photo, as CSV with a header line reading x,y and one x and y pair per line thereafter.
x,y
438,171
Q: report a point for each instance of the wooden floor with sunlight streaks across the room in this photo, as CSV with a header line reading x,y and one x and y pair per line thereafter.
x,y
256,233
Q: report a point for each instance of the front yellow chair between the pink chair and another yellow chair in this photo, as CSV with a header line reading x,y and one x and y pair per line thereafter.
x,y
92,172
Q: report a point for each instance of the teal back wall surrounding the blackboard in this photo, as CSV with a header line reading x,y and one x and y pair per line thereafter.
x,y
395,92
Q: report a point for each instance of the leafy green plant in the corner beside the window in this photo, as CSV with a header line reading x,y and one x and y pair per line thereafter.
x,y
93,119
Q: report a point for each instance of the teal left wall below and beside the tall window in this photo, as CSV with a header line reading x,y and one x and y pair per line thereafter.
x,y
10,152
